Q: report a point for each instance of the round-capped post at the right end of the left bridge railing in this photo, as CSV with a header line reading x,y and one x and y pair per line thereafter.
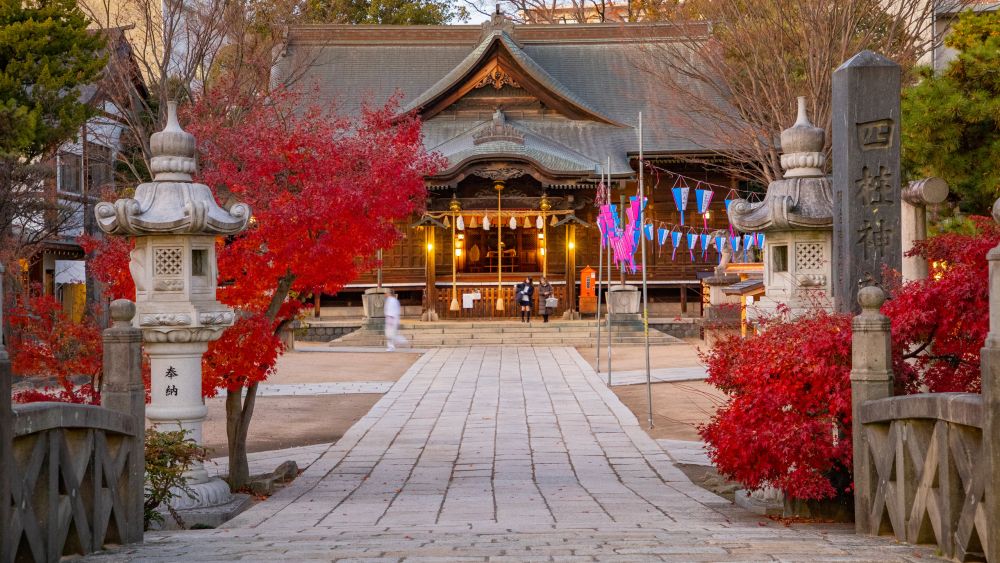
x,y
124,392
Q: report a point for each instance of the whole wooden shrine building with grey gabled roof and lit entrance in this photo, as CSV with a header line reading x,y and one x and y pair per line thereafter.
x,y
526,117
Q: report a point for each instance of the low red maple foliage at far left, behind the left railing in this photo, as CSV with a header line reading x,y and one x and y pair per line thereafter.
x,y
45,342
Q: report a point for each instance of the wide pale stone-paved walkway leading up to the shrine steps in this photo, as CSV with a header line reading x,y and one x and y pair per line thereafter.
x,y
513,454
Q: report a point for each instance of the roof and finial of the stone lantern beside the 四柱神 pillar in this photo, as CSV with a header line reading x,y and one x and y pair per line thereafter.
x,y
803,200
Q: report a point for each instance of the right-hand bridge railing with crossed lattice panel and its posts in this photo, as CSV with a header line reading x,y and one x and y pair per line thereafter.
x,y
926,466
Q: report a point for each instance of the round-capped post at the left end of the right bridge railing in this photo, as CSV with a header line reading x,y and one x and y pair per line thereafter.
x,y
871,378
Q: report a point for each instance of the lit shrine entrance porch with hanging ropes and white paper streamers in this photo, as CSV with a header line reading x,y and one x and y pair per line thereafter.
x,y
493,226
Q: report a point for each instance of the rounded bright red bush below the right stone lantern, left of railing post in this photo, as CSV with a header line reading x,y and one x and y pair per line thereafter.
x,y
789,404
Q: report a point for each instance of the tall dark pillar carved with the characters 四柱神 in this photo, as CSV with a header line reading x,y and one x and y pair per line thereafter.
x,y
866,175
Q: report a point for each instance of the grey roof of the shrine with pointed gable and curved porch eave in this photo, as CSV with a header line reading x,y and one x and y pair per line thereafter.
x,y
594,68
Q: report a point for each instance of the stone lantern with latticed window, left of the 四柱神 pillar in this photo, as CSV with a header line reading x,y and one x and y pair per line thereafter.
x,y
797,217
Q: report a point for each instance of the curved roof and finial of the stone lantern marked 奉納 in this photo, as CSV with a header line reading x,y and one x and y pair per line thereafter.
x,y
171,203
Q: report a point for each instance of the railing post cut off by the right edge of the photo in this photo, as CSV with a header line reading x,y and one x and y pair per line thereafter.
x,y
990,358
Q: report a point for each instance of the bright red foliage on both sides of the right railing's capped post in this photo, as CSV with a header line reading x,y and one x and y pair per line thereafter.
x,y
787,421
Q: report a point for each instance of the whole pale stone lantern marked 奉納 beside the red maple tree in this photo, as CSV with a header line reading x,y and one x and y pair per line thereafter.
x,y
176,223
